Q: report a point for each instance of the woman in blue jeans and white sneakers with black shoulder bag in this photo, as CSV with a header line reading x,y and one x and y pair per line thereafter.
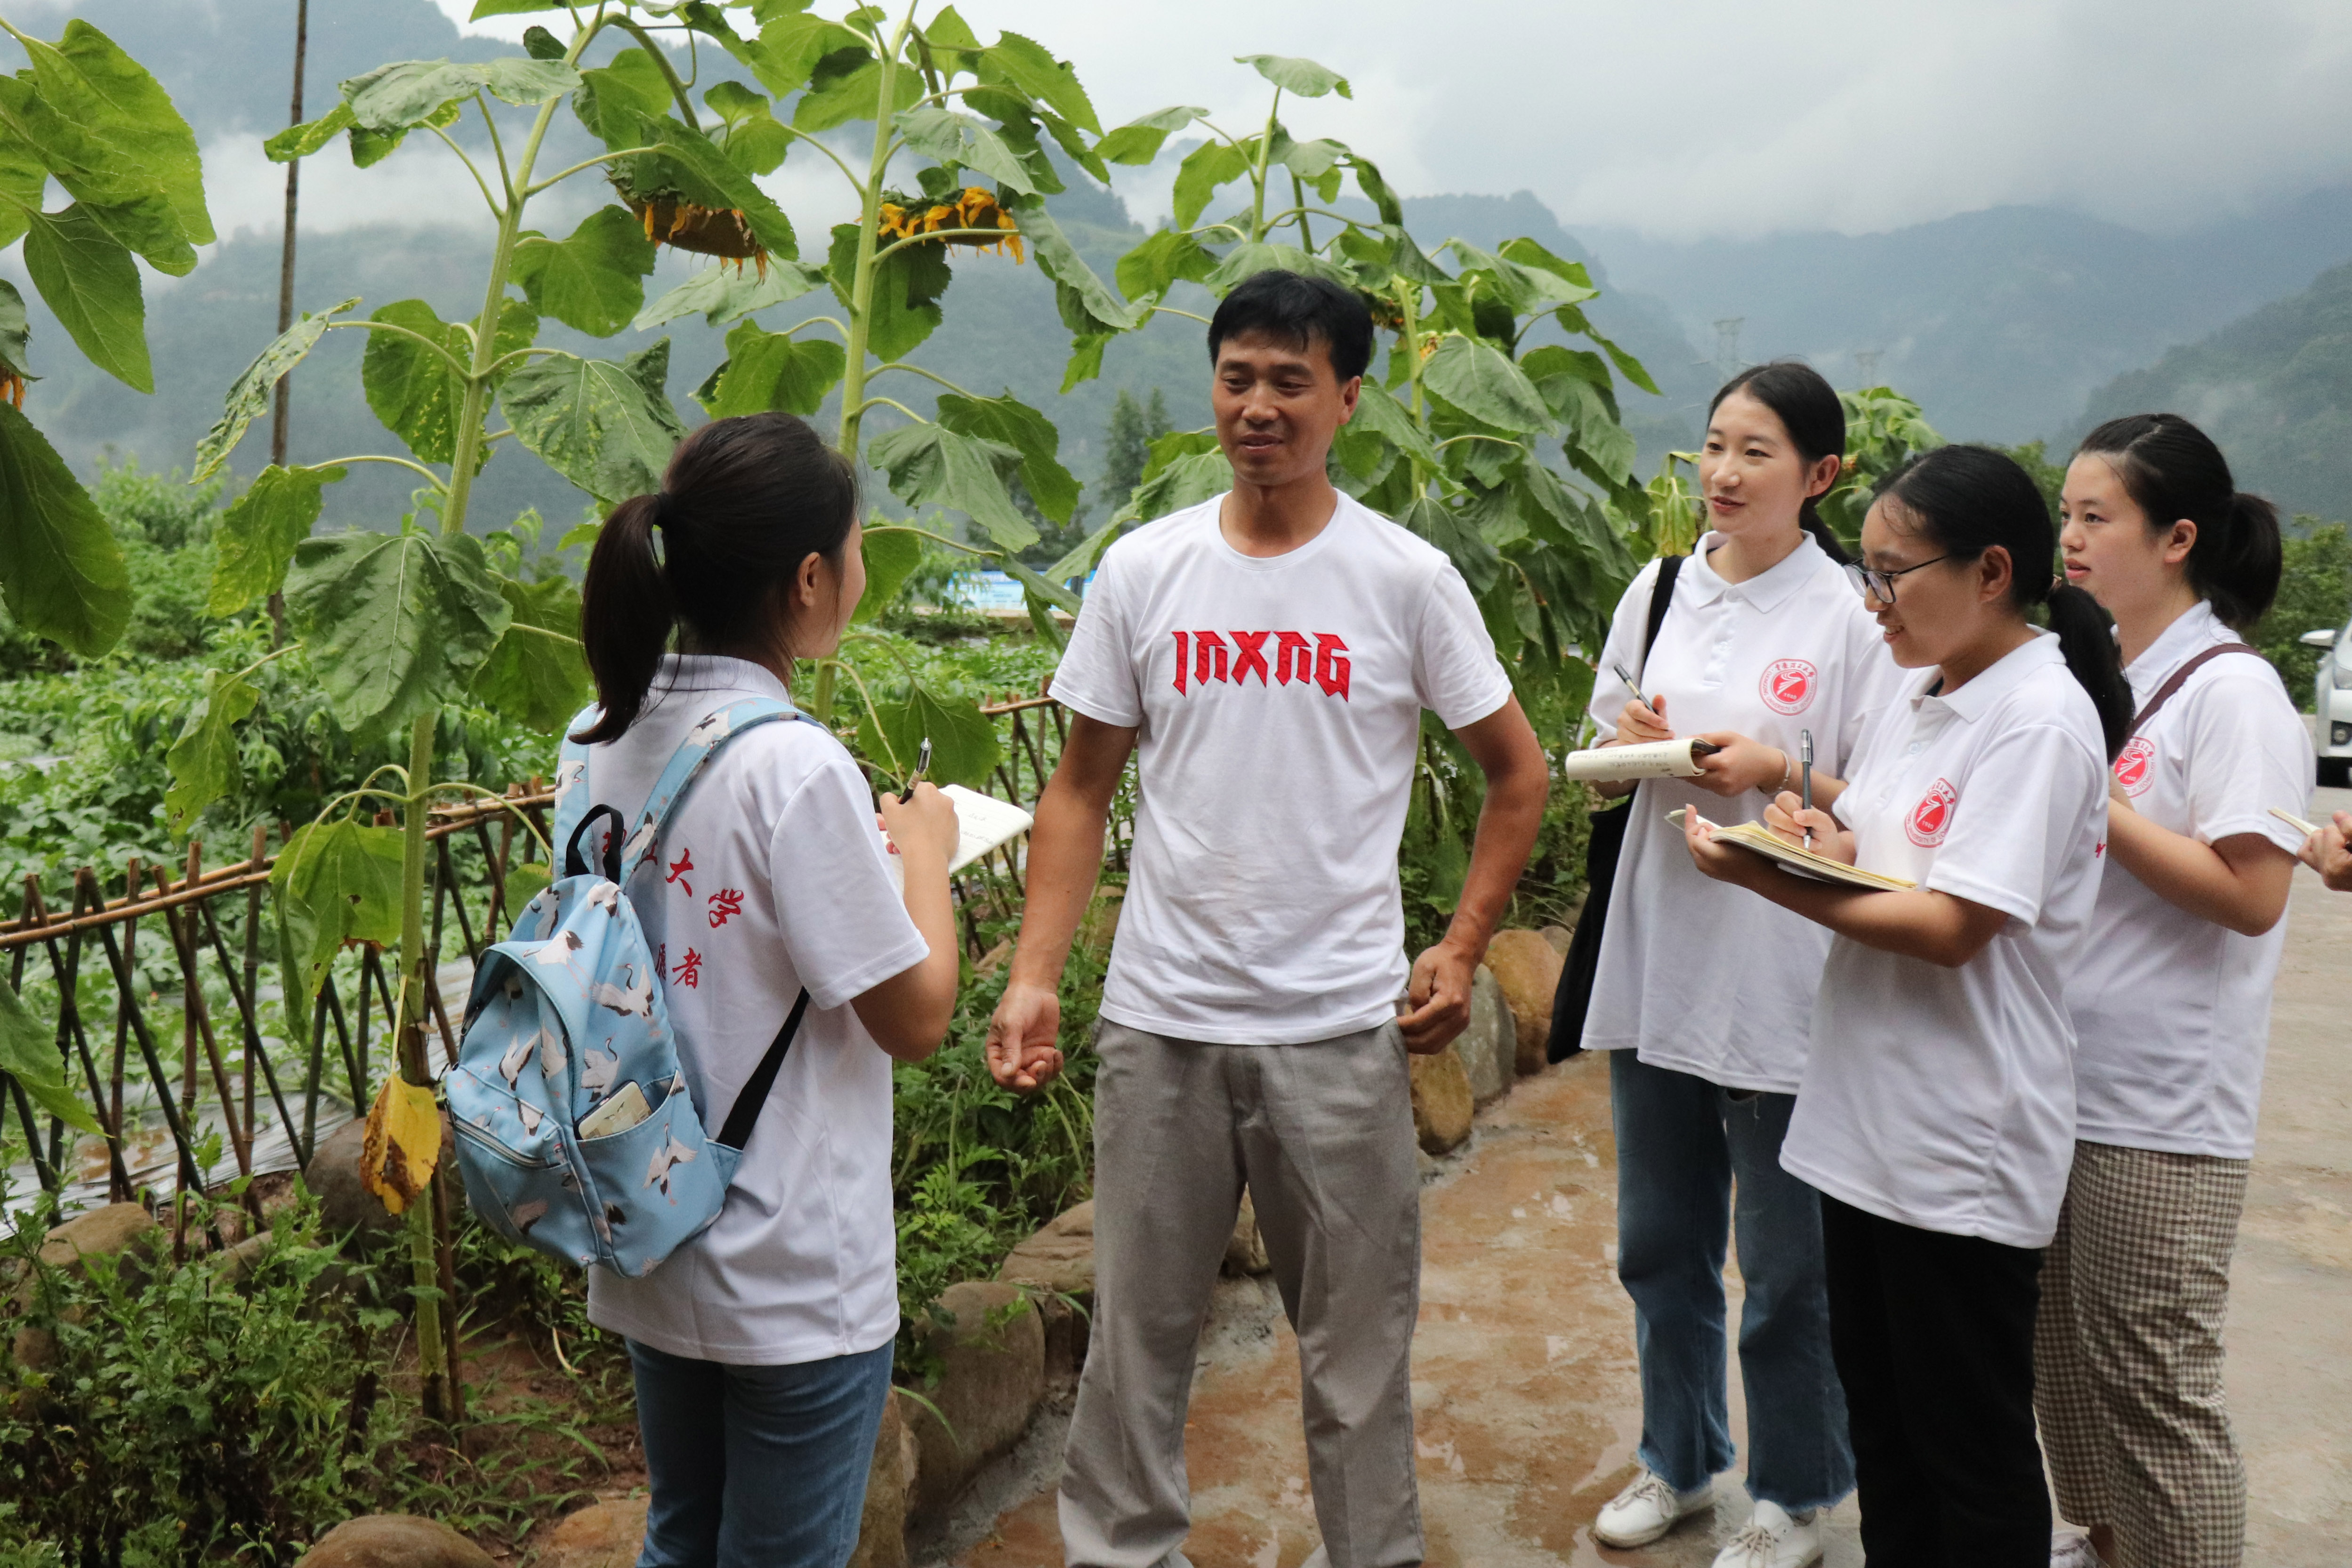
x,y
1704,996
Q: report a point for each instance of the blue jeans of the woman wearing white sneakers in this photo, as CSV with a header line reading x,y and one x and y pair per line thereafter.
x,y
1683,1144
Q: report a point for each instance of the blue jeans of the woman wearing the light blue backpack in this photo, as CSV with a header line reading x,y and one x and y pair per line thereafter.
x,y
756,1466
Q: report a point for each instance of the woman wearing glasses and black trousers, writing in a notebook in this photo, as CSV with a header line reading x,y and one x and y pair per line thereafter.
x,y
1937,1111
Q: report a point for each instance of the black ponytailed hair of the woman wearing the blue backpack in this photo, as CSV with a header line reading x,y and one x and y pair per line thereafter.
x,y
740,509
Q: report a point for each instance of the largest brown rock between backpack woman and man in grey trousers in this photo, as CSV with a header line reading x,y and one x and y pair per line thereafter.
x,y
989,1388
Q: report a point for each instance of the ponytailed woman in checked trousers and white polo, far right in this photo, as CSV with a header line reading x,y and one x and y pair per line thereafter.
x,y
2172,1000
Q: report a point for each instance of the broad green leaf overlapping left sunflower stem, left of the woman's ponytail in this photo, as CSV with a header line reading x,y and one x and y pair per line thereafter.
x,y
396,624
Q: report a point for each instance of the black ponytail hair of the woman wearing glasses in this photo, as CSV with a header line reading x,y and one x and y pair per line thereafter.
x,y
1970,500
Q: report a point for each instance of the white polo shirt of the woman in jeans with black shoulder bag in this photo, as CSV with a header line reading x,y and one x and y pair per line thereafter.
x,y
1695,974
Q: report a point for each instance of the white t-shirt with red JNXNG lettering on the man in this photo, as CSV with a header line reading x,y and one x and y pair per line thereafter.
x,y
1278,711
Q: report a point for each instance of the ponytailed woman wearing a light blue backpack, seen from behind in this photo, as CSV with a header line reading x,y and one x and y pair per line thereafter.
x,y
763,1348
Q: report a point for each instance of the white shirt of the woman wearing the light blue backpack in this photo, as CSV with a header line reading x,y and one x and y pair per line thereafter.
x,y
768,880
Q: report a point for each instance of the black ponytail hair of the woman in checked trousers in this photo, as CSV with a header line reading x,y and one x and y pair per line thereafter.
x,y
2174,471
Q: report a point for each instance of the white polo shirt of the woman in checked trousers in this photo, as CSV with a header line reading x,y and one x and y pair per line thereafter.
x,y
2174,1012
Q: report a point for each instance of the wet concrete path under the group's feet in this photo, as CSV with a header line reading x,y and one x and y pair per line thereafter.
x,y
1525,1393
